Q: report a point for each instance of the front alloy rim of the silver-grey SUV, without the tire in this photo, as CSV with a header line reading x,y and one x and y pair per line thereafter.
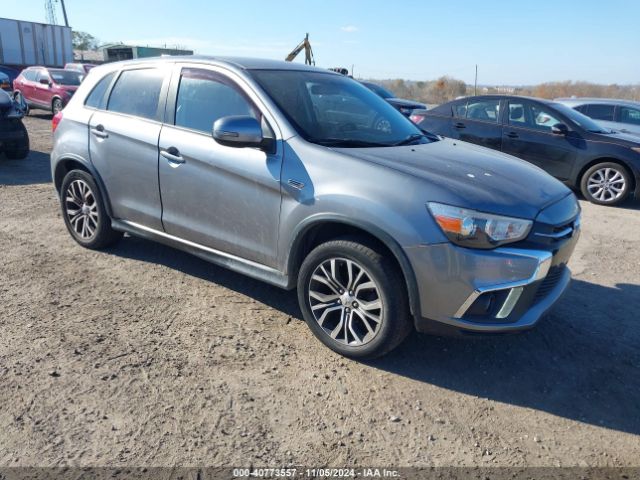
x,y
345,301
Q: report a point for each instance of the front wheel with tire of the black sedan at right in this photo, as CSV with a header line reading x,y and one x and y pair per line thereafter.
x,y
606,183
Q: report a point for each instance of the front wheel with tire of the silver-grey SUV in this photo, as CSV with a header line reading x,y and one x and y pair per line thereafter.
x,y
353,298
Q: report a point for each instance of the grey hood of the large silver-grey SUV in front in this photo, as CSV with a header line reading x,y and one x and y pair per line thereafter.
x,y
471,176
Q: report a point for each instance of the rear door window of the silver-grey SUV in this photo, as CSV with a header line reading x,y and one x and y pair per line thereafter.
x,y
137,93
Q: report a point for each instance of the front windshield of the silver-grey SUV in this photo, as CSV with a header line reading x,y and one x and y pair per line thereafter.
x,y
334,110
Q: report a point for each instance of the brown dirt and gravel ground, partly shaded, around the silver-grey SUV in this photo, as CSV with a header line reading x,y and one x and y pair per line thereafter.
x,y
142,355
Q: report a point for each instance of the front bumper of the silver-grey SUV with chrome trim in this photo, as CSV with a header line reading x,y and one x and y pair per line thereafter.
x,y
493,291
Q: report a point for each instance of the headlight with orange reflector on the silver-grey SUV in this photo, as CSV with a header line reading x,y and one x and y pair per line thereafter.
x,y
469,228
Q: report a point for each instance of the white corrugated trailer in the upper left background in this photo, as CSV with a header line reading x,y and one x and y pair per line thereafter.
x,y
27,43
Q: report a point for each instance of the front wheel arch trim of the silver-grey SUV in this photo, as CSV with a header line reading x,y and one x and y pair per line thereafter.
x,y
321,228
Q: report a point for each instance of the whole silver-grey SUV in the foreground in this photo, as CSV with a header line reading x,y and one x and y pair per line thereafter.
x,y
305,178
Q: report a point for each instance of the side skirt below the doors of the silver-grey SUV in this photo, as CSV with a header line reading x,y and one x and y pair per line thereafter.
x,y
226,260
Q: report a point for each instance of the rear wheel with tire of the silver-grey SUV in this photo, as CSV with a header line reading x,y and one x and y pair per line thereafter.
x,y
84,212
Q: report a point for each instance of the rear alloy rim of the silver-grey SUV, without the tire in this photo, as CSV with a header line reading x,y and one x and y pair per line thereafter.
x,y
81,209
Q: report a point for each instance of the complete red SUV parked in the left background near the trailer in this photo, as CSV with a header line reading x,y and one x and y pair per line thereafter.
x,y
46,88
